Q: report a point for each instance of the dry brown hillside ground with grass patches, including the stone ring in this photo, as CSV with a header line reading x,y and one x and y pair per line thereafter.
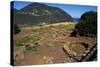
x,y
49,41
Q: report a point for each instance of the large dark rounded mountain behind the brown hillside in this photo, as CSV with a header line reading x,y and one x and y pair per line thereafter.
x,y
37,13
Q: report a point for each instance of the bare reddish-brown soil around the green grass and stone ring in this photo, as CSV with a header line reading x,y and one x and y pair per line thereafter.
x,y
50,49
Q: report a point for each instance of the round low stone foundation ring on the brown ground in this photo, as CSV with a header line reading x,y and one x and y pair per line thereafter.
x,y
74,49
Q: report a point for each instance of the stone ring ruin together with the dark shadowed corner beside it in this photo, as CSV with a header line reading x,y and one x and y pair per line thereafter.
x,y
80,52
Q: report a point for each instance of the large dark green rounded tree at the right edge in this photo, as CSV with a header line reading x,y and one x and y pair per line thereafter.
x,y
87,24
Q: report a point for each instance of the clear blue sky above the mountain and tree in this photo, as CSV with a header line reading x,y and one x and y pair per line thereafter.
x,y
74,10
